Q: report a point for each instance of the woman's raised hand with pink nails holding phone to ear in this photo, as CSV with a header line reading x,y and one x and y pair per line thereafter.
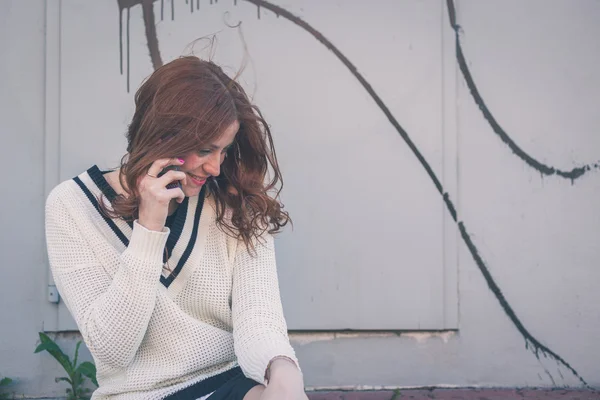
x,y
154,195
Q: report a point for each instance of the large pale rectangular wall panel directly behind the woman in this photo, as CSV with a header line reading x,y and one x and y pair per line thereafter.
x,y
327,159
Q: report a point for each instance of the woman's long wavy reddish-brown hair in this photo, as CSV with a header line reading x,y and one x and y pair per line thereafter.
x,y
185,105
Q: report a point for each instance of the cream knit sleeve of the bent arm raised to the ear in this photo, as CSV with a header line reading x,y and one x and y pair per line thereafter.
x,y
112,312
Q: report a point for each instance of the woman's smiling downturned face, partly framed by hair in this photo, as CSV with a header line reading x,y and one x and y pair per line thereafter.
x,y
206,162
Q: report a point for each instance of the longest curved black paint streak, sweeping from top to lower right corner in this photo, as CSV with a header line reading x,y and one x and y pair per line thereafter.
x,y
529,338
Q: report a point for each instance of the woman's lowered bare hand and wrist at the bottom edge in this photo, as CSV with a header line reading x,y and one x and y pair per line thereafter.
x,y
285,382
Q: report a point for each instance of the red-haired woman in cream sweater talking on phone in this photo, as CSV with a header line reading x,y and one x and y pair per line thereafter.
x,y
171,277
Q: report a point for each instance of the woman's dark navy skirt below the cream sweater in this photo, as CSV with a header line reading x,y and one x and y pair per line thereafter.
x,y
229,385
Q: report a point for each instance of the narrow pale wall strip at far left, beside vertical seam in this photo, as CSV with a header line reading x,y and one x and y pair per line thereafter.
x,y
24,275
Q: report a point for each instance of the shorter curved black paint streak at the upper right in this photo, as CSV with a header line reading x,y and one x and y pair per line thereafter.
x,y
532,162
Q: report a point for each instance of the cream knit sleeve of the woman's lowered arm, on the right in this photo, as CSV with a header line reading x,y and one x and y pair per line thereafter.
x,y
259,327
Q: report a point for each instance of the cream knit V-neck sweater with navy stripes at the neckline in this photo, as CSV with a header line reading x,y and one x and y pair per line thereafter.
x,y
151,335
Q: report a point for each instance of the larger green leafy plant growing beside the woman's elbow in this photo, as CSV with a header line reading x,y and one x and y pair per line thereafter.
x,y
76,373
